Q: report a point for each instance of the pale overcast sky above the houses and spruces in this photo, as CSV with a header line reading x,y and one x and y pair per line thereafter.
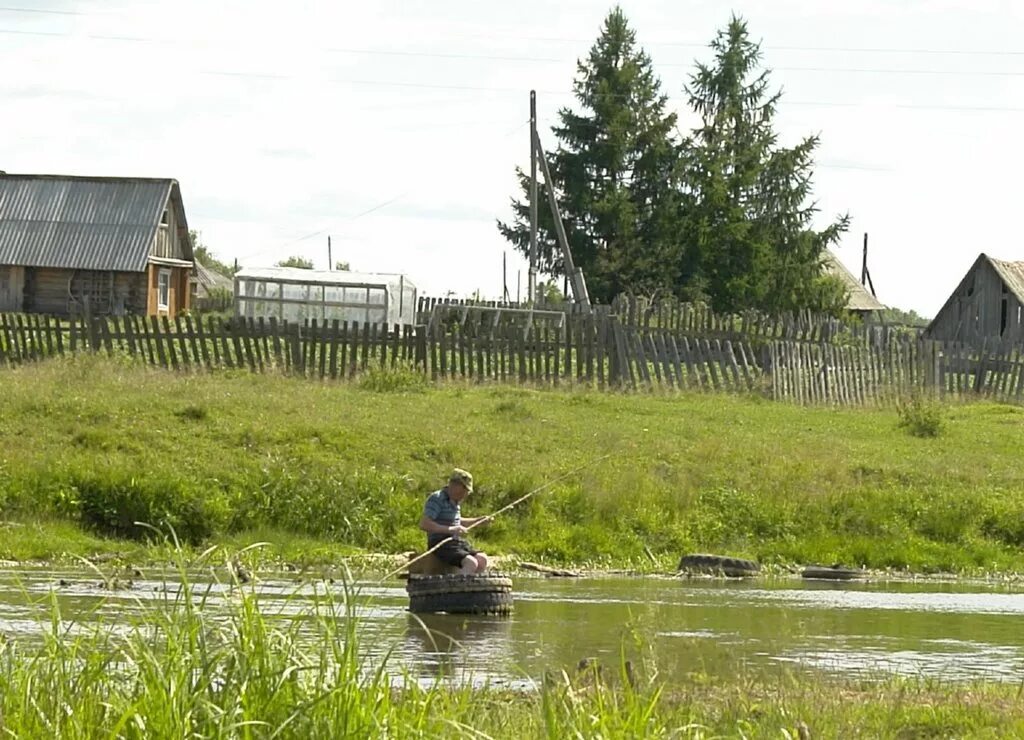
x,y
396,127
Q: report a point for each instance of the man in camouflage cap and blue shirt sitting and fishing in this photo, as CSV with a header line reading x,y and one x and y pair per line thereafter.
x,y
443,521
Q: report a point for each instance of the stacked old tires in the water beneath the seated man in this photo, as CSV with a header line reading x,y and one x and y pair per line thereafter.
x,y
489,594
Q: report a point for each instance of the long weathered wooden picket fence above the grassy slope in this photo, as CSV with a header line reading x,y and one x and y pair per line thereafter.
x,y
546,349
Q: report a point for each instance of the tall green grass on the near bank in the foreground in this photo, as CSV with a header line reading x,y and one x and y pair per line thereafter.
x,y
188,669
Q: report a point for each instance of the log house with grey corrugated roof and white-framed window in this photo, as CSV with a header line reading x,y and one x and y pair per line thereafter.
x,y
99,245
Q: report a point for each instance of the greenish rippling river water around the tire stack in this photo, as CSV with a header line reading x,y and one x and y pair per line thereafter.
x,y
693,628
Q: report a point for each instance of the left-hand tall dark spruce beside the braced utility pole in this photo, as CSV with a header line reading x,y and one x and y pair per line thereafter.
x,y
614,170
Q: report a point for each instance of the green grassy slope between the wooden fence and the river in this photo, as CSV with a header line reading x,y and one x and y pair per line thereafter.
x,y
90,447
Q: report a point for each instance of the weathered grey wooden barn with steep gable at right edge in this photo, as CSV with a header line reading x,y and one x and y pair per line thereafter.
x,y
986,308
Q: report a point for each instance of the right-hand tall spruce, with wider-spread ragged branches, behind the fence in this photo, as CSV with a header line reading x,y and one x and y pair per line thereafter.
x,y
749,241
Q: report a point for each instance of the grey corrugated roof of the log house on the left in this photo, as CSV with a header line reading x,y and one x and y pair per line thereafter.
x,y
96,224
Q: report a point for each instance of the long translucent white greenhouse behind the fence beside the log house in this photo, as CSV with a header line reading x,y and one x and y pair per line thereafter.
x,y
291,294
